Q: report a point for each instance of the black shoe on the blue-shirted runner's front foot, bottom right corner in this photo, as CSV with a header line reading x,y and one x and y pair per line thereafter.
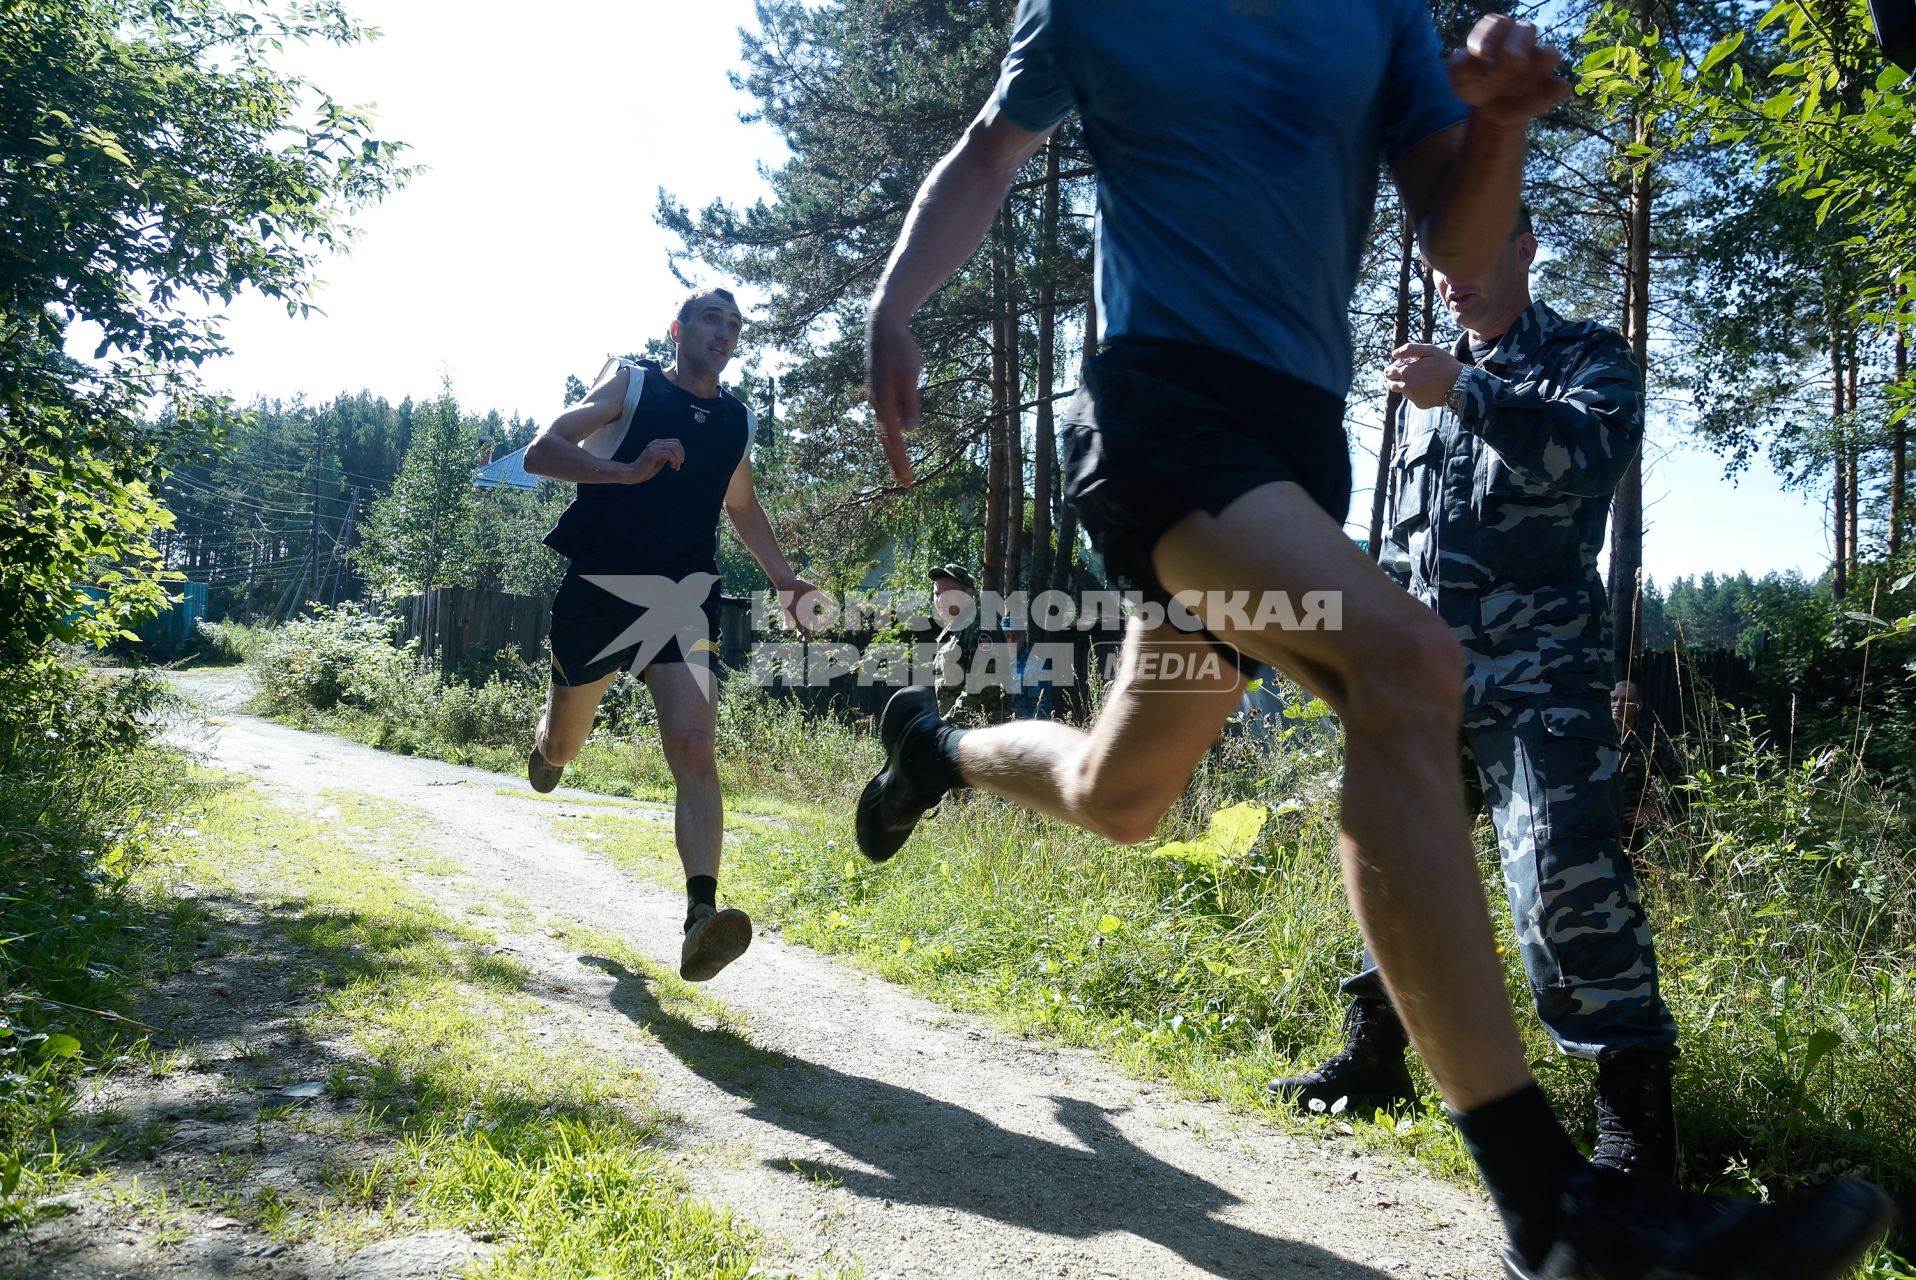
x,y
1622,1229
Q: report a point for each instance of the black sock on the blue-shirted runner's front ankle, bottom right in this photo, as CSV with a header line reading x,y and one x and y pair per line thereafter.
x,y
1526,1158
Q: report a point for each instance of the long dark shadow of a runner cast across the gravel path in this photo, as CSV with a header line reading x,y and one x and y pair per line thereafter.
x,y
940,1154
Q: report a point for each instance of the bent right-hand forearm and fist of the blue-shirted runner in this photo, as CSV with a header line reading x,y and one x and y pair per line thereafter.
x,y
1463,185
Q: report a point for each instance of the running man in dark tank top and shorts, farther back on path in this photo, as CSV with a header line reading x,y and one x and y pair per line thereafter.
x,y
643,583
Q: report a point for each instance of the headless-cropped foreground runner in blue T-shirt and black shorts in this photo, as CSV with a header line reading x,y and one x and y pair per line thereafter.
x,y
1237,147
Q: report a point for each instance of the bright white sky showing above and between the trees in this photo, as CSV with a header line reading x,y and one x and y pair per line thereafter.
x,y
530,250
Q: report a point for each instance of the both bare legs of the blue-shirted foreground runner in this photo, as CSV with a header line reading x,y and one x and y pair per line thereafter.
x,y
1394,675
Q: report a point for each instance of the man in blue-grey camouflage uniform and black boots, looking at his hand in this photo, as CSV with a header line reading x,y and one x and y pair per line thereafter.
x,y
1503,484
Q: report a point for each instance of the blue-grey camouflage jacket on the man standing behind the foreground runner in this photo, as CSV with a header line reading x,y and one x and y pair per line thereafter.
x,y
1499,511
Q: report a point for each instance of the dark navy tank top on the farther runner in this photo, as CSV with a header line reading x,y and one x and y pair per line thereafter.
x,y
668,526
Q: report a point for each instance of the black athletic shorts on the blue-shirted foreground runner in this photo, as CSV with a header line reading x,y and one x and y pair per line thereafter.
x,y
1164,428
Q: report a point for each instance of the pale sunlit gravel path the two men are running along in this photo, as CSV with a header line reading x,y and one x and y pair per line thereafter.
x,y
867,1128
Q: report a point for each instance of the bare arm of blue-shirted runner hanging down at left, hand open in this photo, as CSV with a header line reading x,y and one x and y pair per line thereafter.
x,y
949,219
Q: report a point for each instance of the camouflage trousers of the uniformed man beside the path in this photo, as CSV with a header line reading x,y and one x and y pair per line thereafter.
x,y
1547,771
